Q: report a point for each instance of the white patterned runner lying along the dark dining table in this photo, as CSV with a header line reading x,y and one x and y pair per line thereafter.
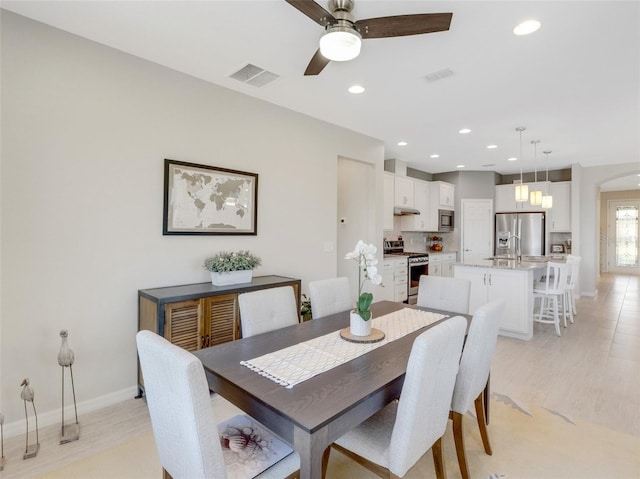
x,y
297,363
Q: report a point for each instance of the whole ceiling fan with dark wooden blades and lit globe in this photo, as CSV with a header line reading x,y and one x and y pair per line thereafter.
x,y
342,37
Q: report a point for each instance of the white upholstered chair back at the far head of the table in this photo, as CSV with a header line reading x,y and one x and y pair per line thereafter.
x,y
444,292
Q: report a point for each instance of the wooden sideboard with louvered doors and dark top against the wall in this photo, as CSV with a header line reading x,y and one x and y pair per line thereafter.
x,y
195,316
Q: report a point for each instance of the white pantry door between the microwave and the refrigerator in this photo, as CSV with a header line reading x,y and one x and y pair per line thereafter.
x,y
477,230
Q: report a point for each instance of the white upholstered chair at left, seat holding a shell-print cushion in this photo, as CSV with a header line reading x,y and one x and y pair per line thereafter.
x,y
182,416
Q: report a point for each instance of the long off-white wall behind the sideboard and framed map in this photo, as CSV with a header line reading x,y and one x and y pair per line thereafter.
x,y
85,131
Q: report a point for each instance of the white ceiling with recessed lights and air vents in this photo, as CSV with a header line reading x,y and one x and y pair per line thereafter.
x,y
575,84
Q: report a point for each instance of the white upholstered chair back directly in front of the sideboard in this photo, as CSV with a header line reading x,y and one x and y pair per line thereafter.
x,y
267,309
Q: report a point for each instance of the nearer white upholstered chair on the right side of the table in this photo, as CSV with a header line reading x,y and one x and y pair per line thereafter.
x,y
391,441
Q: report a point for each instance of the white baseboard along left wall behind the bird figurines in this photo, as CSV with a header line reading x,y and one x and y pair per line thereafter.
x,y
55,416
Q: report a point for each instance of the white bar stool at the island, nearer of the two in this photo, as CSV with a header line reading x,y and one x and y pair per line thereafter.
x,y
552,295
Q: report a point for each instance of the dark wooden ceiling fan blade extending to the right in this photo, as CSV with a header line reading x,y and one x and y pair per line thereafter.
x,y
401,25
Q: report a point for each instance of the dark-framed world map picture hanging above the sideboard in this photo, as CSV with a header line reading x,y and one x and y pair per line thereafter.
x,y
201,199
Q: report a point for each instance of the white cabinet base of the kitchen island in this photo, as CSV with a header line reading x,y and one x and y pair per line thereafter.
x,y
513,285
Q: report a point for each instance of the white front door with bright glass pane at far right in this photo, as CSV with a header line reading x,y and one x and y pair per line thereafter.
x,y
623,236
